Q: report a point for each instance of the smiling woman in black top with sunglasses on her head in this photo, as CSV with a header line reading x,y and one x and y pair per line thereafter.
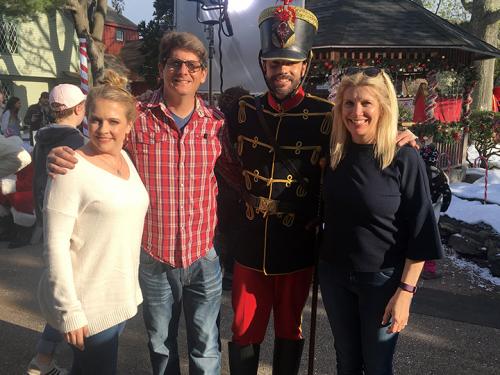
x,y
379,225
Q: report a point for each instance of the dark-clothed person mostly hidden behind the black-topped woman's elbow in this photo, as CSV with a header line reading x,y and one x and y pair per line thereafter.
x,y
440,195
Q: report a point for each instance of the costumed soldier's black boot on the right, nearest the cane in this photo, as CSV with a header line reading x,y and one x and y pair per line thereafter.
x,y
287,355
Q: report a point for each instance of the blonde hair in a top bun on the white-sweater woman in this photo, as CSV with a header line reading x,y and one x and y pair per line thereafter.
x,y
113,87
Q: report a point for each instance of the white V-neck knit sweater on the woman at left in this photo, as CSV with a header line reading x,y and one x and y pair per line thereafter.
x,y
93,224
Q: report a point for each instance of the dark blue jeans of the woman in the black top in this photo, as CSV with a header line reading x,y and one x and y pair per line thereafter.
x,y
355,303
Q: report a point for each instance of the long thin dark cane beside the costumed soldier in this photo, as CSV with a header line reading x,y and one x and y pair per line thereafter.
x,y
317,243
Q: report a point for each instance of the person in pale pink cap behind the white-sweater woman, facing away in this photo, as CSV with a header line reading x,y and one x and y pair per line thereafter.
x,y
67,104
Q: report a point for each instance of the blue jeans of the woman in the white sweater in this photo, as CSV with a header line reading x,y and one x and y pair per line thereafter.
x,y
100,356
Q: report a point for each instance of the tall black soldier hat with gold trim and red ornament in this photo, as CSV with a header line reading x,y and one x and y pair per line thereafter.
x,y
286,32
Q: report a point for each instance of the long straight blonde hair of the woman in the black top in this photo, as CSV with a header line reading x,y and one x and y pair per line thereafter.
x,y
387,127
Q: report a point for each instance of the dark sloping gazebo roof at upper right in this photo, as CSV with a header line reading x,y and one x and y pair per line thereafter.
x,y
384,24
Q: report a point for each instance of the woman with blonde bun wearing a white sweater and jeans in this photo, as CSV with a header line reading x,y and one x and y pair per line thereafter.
x,y
93,223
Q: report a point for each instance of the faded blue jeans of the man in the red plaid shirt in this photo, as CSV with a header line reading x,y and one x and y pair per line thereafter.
x,y
166,291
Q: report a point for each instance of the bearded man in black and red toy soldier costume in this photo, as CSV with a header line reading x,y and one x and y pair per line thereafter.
x,y
280,138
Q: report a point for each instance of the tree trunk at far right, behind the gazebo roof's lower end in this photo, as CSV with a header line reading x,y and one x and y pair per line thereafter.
x,y
484,25
